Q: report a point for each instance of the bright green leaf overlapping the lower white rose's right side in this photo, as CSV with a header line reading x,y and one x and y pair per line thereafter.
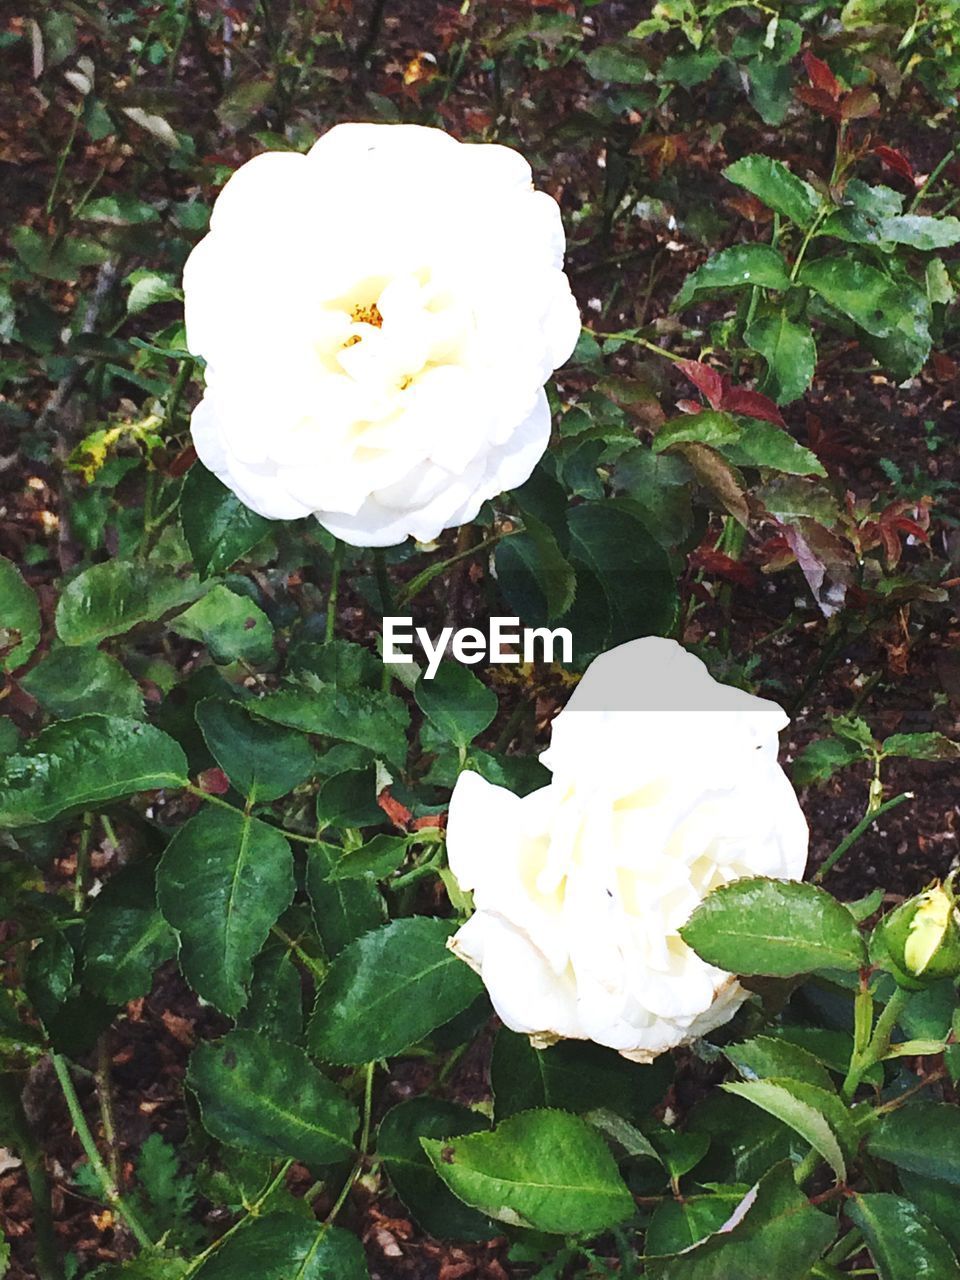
x,y
776,929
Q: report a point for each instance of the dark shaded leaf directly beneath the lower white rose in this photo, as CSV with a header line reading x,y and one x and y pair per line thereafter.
x,y
574,1076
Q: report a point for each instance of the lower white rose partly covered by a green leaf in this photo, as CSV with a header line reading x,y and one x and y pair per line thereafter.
x,y
665,785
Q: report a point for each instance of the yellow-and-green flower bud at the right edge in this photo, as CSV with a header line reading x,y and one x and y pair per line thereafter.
x,y
922,938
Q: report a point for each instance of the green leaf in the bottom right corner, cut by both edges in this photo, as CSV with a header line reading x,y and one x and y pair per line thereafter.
x,y
902,1240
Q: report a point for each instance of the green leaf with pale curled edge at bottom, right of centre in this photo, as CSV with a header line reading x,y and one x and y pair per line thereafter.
x,y
778,1233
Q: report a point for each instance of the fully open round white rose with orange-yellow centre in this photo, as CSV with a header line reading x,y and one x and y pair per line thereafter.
x,y
380,319
